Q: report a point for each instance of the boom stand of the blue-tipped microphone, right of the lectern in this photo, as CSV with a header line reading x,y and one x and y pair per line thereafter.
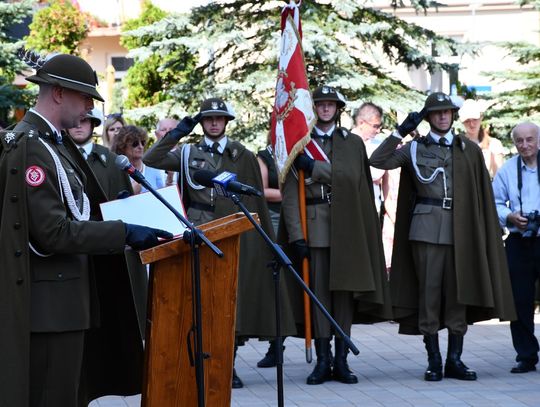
x,y
281,260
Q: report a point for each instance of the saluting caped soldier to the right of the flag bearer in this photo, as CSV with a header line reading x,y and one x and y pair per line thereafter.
x,y
448,263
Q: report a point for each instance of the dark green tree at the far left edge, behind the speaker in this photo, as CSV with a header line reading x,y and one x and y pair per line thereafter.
x,y
11,96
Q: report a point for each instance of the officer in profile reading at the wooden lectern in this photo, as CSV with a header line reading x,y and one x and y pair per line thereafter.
x,y
49,294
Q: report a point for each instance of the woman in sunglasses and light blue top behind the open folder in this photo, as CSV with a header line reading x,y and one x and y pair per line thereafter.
x,y
130,141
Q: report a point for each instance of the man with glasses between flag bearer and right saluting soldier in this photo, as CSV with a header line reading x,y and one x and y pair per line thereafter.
x,y
368,123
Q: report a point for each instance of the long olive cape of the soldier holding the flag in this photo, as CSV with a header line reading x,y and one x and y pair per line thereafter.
x,y
356,253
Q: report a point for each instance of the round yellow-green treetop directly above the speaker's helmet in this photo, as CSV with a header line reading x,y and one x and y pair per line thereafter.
x,y
58,28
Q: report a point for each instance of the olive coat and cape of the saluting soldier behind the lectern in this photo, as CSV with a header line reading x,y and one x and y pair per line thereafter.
x,y
255,316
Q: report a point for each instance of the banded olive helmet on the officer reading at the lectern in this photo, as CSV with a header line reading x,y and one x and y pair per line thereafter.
x,y
67,71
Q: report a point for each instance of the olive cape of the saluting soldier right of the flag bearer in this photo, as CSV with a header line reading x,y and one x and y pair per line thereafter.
x,y
483,282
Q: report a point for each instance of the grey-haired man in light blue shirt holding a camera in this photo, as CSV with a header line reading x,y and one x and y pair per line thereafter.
x,y
517,195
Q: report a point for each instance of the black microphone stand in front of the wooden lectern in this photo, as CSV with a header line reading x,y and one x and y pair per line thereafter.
x,y
195,237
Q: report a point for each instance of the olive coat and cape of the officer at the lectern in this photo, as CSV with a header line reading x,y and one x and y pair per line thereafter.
x,y
58,292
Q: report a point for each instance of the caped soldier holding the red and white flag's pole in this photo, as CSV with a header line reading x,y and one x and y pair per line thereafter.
x,y
344,246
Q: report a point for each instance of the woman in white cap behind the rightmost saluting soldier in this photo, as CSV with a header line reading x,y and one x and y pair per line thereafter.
x,y
471,114
